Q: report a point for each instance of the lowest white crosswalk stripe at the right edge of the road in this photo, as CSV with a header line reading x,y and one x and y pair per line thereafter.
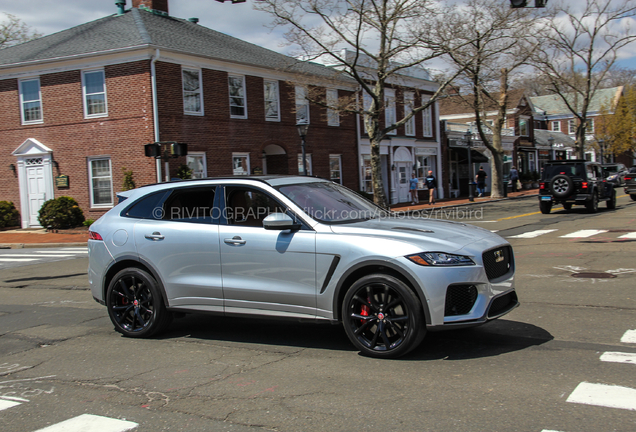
x,y
610,396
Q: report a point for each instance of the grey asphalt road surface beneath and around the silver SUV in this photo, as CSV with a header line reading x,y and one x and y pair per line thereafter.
x,y
60,358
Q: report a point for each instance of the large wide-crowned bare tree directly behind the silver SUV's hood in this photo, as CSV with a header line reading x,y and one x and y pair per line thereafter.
x,y
374,42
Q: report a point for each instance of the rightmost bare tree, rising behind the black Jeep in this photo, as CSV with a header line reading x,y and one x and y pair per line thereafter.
x,y
580,46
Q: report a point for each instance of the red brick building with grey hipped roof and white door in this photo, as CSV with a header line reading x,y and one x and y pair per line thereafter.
x,y
83,102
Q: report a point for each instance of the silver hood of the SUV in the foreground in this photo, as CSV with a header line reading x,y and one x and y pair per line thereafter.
x,y
430,234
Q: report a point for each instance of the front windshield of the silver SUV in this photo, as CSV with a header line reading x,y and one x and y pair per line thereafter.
x,y
331,203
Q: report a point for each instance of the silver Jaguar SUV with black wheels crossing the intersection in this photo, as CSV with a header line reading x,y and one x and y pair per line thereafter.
x,y
294,247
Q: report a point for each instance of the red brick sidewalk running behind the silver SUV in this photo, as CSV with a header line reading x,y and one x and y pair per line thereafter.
x,y
35,238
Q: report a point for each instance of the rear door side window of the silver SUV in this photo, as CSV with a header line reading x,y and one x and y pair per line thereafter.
x,y
194,205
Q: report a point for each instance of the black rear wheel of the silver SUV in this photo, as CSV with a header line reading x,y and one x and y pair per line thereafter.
x,y
135,305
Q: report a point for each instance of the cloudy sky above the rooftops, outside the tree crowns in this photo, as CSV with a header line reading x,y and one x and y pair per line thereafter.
x,y
239,20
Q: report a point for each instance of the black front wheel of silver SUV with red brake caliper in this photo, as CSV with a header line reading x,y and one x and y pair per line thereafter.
x,y
382,317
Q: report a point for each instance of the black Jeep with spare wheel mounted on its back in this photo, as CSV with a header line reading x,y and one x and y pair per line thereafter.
x,y
574,181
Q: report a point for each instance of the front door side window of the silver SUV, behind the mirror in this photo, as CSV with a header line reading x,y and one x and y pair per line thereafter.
x,y
248,207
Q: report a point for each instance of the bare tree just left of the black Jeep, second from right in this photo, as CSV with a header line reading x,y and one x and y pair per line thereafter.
x,y
497,40
